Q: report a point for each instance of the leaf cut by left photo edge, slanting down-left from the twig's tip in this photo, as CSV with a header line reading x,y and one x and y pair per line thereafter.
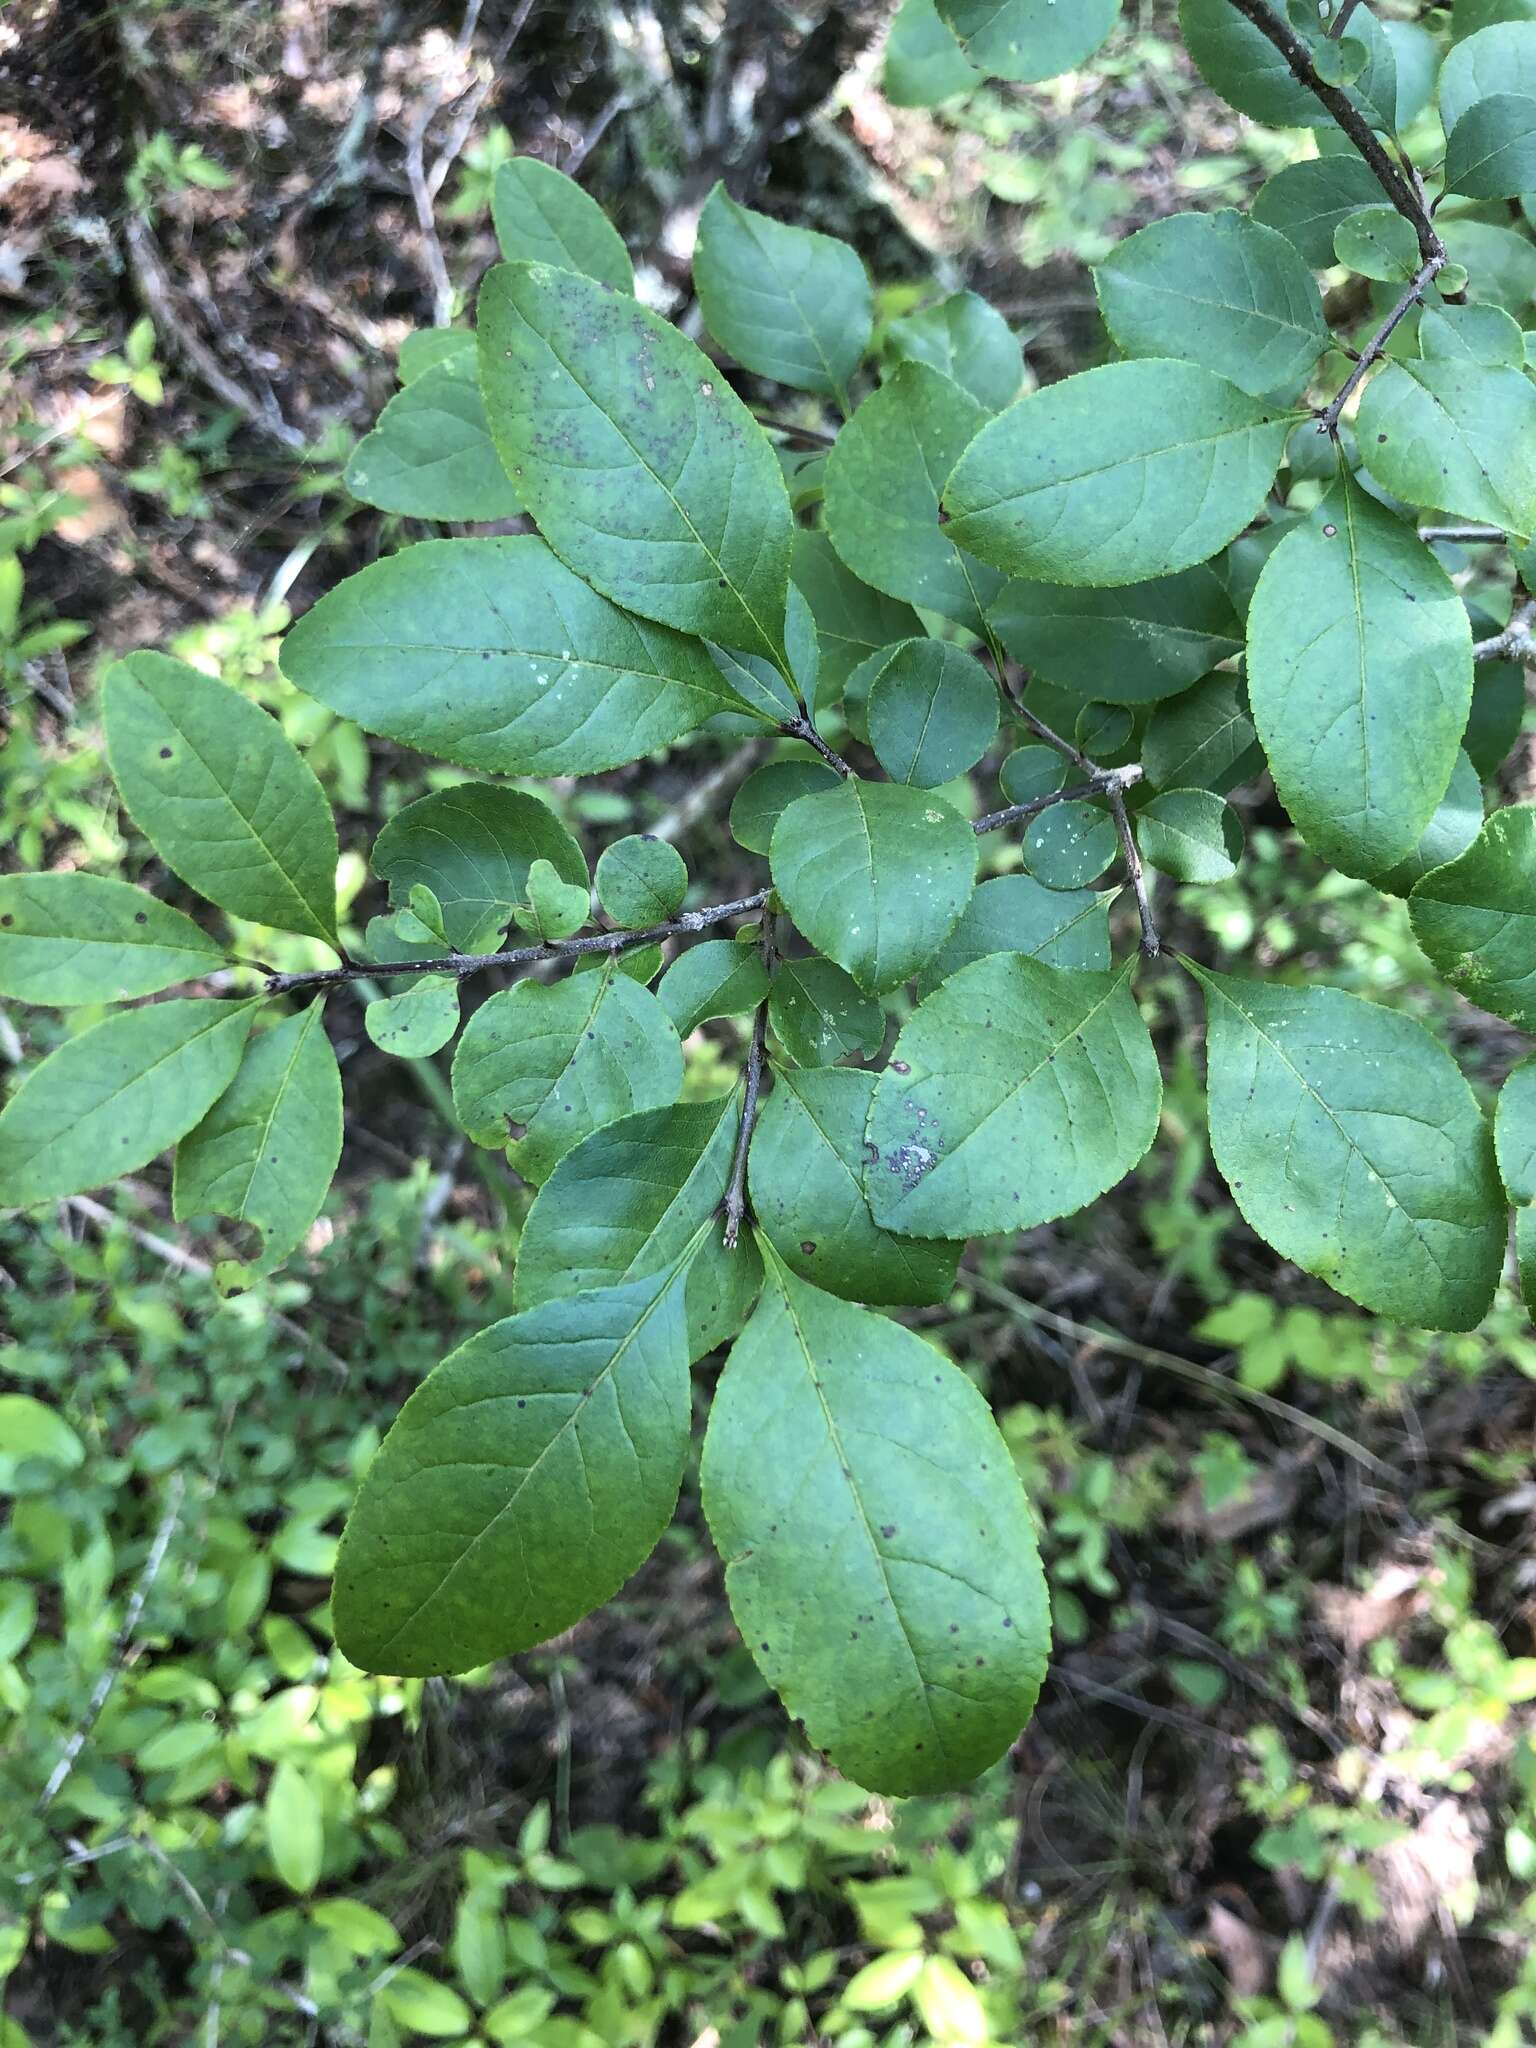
x,y
108,1103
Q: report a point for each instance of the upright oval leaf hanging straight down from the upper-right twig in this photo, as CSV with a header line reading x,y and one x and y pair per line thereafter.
x,y
1361,679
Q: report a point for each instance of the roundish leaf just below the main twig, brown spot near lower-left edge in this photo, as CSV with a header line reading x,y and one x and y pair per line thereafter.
x,y
542,1066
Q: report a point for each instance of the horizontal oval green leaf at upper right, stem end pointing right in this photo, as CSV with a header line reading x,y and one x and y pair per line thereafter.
x,y
1117,476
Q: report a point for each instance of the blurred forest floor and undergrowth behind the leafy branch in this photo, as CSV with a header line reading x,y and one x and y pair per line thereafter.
x,y
1281,1791
